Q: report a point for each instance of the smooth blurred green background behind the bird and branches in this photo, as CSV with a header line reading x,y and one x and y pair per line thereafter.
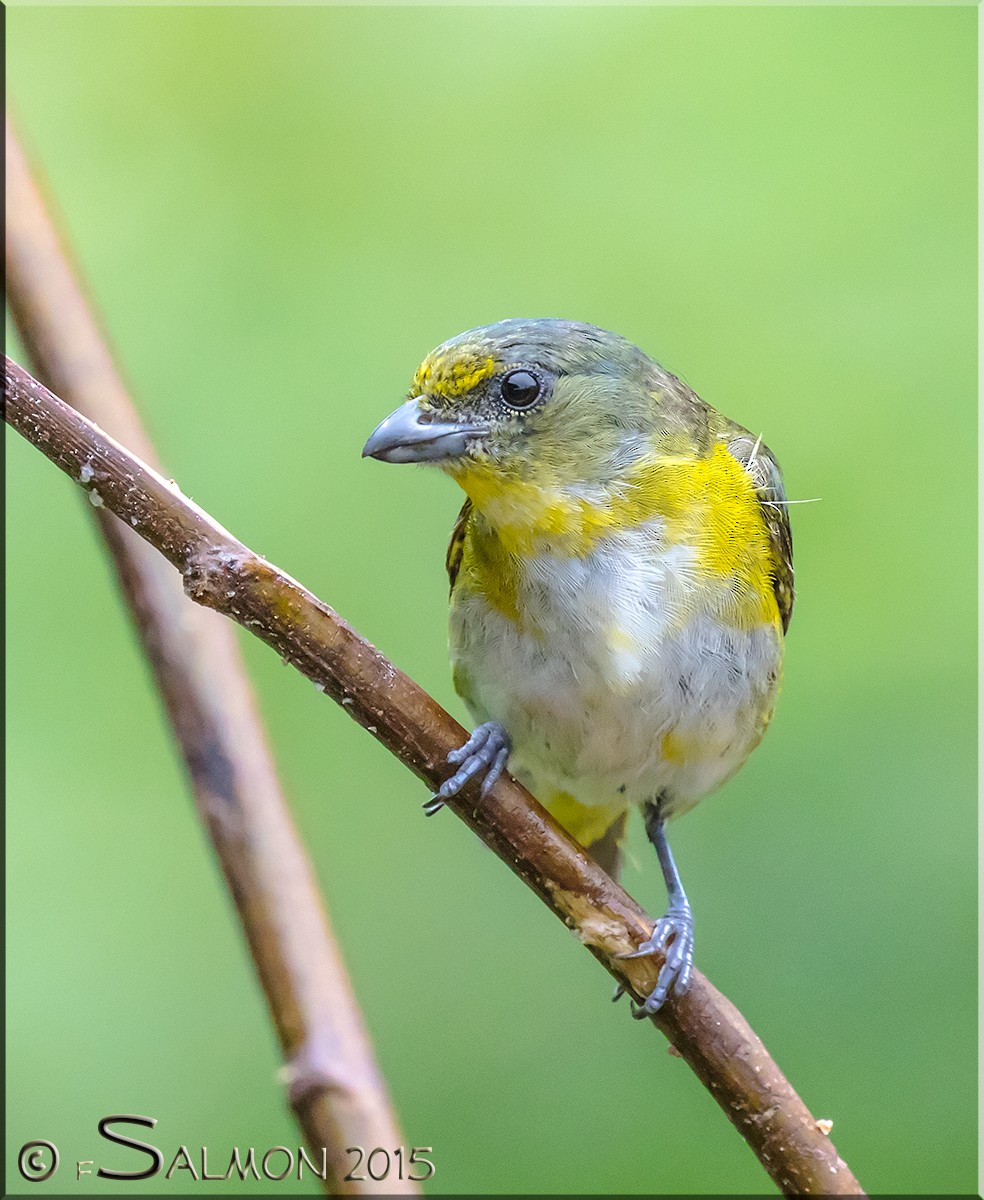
x,y
280,212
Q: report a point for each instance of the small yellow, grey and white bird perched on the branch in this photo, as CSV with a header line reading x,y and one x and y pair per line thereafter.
x,y
621,585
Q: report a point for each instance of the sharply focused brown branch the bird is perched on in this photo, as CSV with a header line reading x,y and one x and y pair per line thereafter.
x,y
223,574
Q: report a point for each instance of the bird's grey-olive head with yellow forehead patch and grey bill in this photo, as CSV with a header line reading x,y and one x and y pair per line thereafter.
x,y
544,403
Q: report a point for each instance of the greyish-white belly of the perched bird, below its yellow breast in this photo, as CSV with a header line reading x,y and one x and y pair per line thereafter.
x,y
622,686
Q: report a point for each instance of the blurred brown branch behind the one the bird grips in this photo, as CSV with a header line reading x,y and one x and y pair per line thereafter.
x,y
334,1084
